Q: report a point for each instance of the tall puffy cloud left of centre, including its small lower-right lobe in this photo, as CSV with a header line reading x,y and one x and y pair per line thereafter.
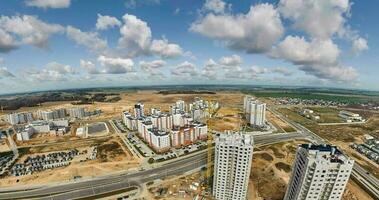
x,y
136,38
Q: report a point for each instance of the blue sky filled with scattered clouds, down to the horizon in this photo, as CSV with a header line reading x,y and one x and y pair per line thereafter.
x,y
59,44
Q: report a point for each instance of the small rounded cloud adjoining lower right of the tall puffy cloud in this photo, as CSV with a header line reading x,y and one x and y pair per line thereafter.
x,y
165,49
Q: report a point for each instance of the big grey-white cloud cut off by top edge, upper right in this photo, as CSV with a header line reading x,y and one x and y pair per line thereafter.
x,y
319,18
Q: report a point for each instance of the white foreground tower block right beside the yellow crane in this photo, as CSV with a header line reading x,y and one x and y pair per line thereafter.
x,y
232,165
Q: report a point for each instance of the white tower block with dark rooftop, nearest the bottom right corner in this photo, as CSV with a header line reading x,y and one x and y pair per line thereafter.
x,y
319,172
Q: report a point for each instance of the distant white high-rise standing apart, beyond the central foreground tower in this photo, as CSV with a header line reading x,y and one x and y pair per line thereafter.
x,y
255,112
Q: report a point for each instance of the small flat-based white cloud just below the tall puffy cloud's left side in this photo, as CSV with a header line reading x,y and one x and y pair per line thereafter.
x,y
115,65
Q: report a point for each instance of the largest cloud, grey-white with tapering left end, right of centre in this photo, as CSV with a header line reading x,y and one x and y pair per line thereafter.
x,y
254,32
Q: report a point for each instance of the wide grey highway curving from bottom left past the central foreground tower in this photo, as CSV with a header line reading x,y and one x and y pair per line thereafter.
x,y
92,187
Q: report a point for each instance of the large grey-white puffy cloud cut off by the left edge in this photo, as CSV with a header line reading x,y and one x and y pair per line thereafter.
x,y
25,29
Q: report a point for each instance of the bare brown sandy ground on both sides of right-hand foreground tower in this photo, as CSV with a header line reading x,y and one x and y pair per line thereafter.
x,y
271,171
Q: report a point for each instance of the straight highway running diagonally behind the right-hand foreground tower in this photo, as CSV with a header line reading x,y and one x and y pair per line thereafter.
x,y
365,179
